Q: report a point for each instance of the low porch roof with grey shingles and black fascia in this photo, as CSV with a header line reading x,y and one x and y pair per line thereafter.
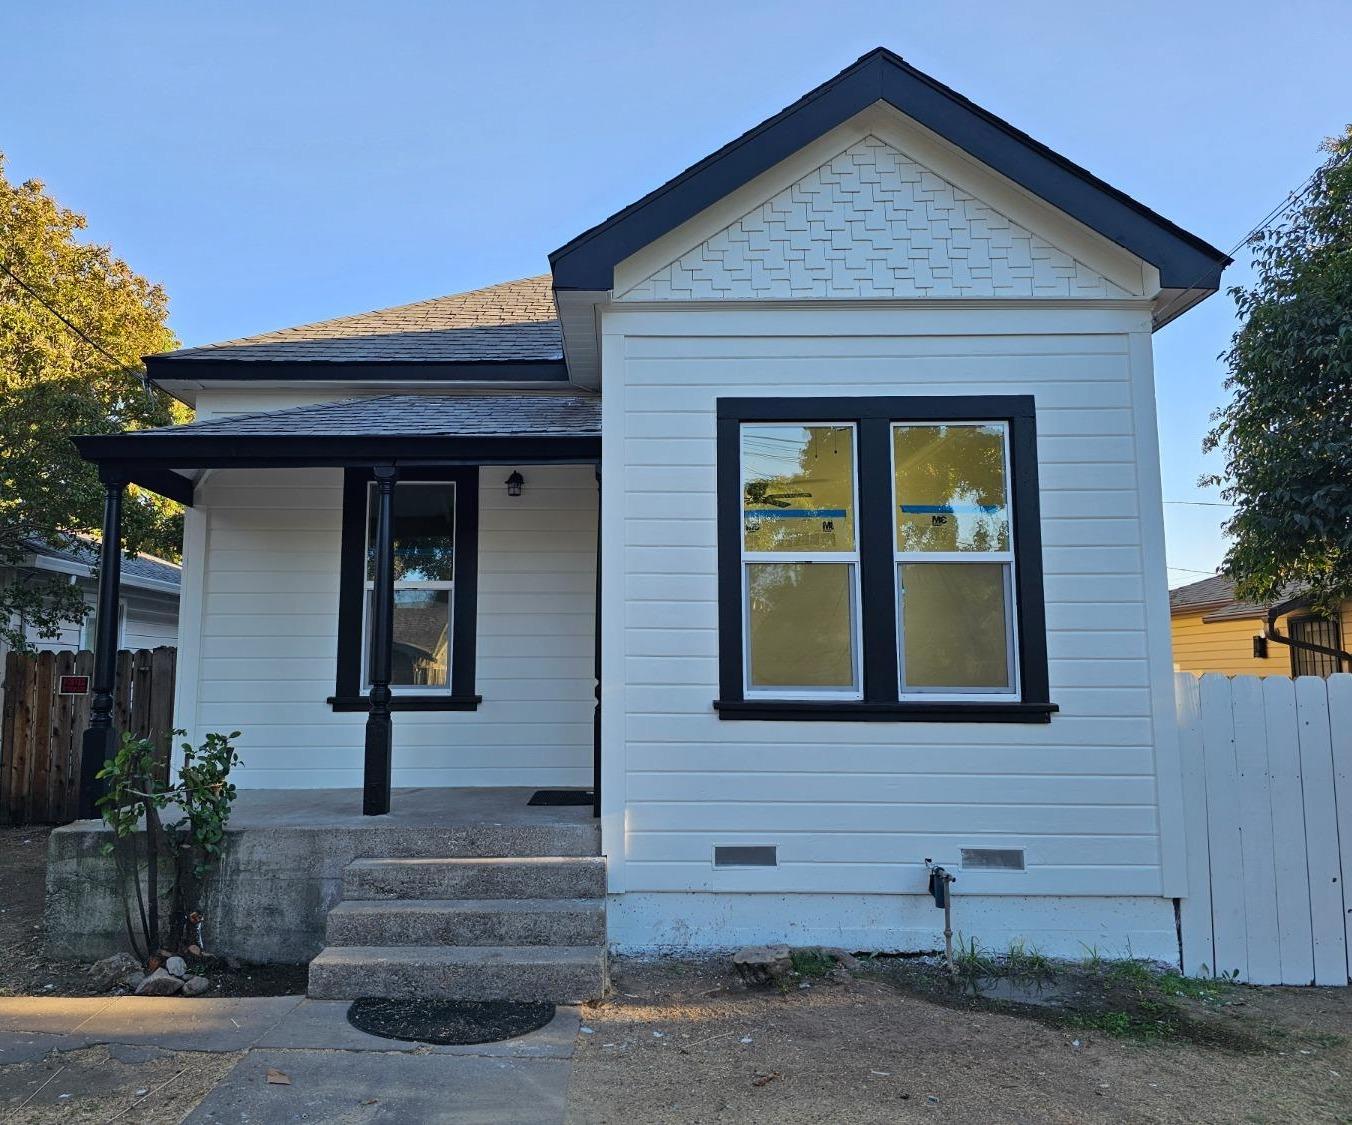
x,y
466,428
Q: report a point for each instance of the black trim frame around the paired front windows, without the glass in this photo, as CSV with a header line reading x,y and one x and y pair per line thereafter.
x,y
874,417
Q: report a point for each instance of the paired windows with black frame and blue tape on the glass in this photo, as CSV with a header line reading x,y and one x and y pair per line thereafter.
x,y
881,559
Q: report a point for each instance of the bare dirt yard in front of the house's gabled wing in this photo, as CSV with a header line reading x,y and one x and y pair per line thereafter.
x,y
687,1043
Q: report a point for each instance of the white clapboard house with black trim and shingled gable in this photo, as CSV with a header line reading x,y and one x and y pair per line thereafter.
x,y
869,396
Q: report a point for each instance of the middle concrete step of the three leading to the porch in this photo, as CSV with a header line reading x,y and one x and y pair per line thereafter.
x,y
494,921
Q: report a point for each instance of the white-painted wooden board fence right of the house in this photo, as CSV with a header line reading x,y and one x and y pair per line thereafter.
x,y
1267,785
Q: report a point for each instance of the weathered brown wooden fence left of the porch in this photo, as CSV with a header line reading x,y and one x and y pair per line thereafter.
x,y
41,731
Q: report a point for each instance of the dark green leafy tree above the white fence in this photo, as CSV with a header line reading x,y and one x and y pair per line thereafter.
x,y
1288,432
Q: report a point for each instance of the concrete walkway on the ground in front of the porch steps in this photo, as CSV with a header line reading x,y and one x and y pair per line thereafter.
x,y
335,1072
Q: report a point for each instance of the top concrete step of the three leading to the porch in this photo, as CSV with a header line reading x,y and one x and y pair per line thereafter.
x,y
524,877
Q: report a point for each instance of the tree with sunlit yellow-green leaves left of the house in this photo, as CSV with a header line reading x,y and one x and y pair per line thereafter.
x,y
55,385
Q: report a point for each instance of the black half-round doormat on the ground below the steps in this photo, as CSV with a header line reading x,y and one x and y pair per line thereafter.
x,y
448,1023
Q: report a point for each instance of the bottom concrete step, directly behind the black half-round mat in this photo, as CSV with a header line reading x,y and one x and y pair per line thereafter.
x,y
560,974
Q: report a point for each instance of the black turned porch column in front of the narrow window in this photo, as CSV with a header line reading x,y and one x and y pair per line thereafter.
x,y
375,801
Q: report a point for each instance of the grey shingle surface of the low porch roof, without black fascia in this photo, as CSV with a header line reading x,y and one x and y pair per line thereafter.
x,y
464,414
